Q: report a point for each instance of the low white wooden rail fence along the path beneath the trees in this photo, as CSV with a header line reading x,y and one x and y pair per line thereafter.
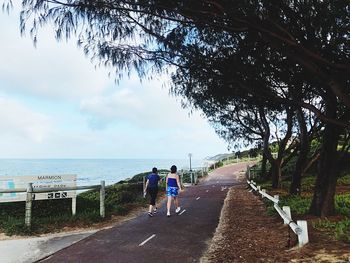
x,y
299,228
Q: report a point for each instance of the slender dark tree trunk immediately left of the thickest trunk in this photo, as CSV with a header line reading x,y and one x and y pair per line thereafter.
x,y
295,187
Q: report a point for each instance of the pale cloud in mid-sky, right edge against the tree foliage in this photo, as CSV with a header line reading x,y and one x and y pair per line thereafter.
x,y
145,105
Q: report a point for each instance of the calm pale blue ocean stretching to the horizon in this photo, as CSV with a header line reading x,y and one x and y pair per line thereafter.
x,y
90,171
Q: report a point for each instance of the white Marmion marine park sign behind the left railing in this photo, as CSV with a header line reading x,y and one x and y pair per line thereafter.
x,y
39,182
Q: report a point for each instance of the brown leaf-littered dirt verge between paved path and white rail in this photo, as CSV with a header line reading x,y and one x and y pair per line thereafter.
x,y
247,234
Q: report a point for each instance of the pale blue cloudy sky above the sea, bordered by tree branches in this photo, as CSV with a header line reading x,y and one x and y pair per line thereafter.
x,y
54,103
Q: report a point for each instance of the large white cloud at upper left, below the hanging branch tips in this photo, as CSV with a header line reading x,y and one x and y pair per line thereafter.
x,y
52,70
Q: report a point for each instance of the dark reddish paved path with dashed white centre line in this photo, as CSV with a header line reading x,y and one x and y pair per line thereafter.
x,y
179,238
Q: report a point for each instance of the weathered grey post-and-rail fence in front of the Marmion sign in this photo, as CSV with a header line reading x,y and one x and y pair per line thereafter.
x,y
30,192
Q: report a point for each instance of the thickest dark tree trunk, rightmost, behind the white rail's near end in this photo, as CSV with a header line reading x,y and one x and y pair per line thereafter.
x,y
323,198
